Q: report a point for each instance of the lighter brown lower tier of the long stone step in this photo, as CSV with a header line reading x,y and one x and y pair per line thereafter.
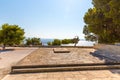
x,y
62,68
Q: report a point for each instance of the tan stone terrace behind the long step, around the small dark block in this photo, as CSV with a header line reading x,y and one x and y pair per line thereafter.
x,y
47,56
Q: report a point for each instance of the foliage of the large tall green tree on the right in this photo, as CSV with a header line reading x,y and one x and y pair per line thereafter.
x,y
103,21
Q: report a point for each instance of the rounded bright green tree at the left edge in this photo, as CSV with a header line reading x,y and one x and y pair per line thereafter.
x,y
11,35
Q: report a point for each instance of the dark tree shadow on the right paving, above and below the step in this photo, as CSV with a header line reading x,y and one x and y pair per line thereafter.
x,y
107,57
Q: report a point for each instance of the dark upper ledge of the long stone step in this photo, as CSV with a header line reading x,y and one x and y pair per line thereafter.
x,y
63,65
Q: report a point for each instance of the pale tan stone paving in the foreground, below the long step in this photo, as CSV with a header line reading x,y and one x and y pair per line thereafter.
x,y
74,75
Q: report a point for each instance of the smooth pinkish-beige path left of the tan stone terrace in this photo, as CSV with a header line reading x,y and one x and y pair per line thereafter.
x,y
11,57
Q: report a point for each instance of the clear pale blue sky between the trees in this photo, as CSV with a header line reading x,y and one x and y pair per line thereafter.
x,y
46,18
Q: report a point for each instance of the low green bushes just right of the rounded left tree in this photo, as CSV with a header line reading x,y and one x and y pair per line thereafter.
x,y
33,41
